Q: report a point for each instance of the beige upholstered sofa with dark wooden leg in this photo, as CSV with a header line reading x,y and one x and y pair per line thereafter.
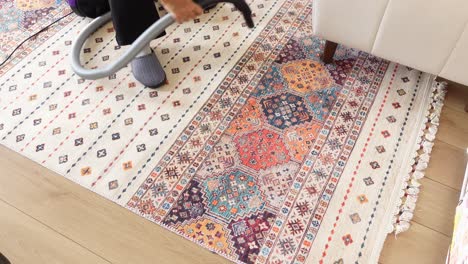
x,y
428,35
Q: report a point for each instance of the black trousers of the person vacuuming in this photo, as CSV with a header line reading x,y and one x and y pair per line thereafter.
x,y
131,18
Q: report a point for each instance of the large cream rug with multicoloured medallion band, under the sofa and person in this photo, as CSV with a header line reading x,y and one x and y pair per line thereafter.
x,y
254,149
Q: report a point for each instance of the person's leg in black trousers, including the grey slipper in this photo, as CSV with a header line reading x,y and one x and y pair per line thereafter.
x,y
131,18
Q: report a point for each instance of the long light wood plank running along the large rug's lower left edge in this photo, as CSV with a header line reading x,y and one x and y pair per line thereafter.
x,y
92,221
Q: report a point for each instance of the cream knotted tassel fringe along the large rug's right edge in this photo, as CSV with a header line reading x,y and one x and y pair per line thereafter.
x,y
410,191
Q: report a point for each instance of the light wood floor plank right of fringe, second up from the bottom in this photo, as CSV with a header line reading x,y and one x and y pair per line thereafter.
x,y
436,206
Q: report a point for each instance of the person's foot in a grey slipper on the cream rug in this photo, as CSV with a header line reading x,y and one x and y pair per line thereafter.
x,y
147,69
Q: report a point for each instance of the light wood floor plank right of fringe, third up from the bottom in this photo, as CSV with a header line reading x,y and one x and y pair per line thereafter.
x,y
447,165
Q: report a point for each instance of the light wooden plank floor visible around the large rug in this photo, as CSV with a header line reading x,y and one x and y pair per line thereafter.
x,y
45,218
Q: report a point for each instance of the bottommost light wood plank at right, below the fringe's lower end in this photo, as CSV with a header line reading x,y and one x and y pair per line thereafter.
x,y
419,245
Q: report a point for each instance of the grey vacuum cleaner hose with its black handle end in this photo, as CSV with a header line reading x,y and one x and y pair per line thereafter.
x,y
139,44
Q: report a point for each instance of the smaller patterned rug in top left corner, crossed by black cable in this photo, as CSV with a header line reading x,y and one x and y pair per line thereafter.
x,y
20,19
